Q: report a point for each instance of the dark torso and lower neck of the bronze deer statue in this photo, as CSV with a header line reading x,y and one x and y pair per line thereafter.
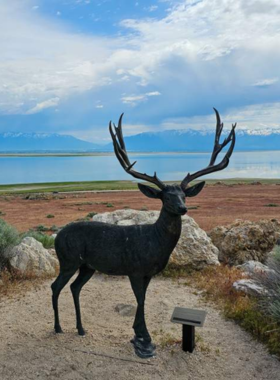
x,y
119,250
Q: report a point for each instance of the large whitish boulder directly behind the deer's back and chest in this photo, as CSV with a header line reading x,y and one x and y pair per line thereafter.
x,y
194,249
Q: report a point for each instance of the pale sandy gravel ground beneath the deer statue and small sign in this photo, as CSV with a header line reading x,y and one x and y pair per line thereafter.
x,y
30,350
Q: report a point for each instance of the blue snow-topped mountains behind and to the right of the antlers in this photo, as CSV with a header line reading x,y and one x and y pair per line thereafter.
x,y
198,141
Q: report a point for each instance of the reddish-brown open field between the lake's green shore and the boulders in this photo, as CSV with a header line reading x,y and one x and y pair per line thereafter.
x,y
215,205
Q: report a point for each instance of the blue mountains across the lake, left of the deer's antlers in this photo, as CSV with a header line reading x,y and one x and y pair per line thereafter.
x,y
37,142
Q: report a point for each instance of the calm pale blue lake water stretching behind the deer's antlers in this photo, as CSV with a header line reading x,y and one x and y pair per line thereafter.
x,y
169,166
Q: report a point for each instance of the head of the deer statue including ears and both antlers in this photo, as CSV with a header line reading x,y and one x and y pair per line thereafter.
x,y
173,196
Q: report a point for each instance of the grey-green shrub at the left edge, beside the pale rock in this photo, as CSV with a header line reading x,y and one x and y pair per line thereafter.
x,y
9,237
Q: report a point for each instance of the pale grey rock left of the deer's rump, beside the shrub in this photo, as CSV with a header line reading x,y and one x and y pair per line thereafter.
x,y
31,257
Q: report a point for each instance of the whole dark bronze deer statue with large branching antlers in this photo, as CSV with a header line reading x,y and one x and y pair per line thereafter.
x,y
138,251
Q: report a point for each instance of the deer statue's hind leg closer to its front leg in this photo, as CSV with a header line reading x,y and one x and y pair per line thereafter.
x,y
76,287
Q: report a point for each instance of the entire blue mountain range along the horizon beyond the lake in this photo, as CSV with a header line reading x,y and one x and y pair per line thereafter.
x,y
165,141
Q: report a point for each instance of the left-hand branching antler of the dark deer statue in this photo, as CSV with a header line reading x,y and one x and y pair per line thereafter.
x,y
120,151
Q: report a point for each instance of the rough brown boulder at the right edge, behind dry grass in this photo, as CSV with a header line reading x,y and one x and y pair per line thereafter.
x,y
245,240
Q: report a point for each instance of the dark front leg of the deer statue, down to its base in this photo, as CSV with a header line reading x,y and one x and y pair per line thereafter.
x,y
142,342
